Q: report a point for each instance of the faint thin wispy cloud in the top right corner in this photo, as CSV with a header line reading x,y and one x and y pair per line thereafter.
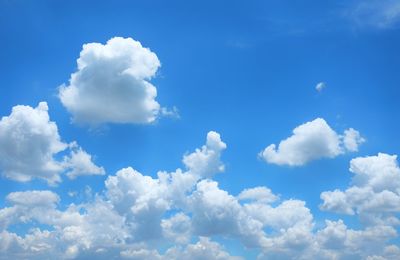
x,y
379,14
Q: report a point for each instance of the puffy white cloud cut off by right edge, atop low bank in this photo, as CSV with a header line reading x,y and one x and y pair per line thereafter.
x,y
375,194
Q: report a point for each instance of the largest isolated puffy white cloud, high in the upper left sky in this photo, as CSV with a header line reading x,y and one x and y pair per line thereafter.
x,y
112,84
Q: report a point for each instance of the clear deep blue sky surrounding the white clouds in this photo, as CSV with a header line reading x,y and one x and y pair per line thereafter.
x,y
246,69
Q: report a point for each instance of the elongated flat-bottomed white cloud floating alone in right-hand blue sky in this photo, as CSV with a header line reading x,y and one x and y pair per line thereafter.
x,y
311,141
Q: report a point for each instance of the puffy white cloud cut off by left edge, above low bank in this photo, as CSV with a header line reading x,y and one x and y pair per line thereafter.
x,y
29,143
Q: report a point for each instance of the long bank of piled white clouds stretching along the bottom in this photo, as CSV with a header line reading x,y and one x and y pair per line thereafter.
x,y
184,209
